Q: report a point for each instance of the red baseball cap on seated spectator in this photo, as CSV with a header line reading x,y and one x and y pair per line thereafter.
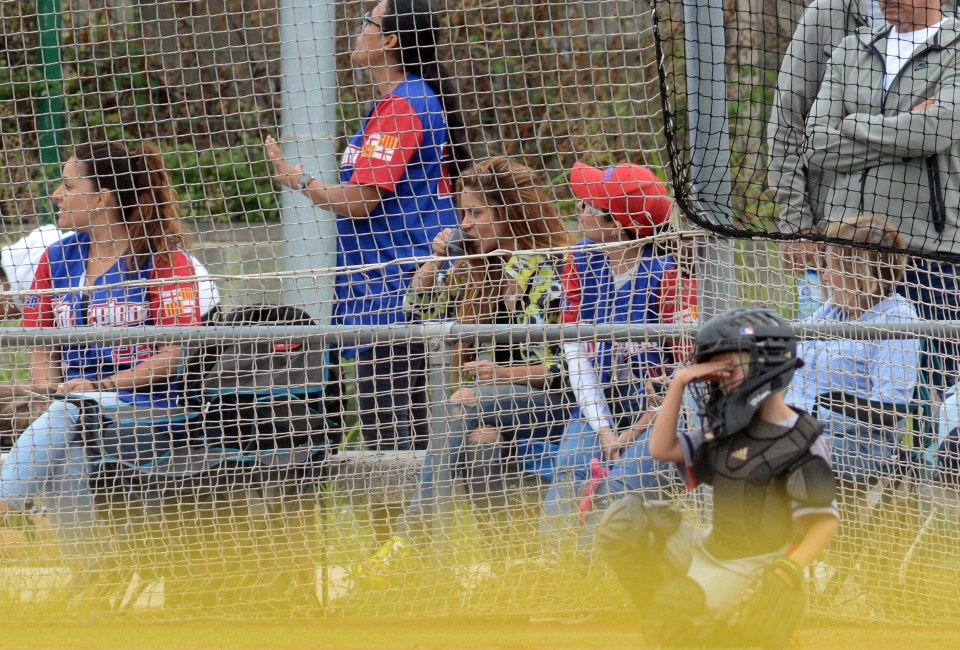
x,y
632,194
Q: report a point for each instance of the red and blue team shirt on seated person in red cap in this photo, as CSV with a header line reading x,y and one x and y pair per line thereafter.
x,y
655,293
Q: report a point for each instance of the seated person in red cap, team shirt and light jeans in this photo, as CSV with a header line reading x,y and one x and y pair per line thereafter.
x,y
614,275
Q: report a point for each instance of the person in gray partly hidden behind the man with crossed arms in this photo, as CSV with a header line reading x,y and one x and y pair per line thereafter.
x,y
800,191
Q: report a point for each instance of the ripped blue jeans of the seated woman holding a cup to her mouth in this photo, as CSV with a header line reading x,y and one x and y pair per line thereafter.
x,y
515,410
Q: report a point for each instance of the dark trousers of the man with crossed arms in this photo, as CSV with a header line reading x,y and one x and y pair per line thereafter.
x,y
934,288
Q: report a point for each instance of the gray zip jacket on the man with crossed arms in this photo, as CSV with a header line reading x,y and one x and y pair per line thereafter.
x,y
888,159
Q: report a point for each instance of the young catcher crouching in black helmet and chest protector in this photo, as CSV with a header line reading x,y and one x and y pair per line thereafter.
x,y
740,582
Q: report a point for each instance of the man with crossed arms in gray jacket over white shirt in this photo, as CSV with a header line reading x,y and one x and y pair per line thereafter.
x,y
886,123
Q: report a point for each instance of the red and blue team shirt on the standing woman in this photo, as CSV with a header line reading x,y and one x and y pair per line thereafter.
x,y
403,148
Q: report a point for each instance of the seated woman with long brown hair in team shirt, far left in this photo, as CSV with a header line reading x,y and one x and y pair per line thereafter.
x,y
123,267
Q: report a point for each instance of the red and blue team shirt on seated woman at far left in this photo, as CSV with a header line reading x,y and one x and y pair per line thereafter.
x,y
62,269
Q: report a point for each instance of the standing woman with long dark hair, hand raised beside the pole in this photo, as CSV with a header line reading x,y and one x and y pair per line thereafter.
x,y
392,200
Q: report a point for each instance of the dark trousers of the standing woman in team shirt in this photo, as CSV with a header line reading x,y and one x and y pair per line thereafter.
x,y
392,396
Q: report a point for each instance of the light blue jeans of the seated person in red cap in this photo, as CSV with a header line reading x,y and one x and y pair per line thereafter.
x,y
635,471
